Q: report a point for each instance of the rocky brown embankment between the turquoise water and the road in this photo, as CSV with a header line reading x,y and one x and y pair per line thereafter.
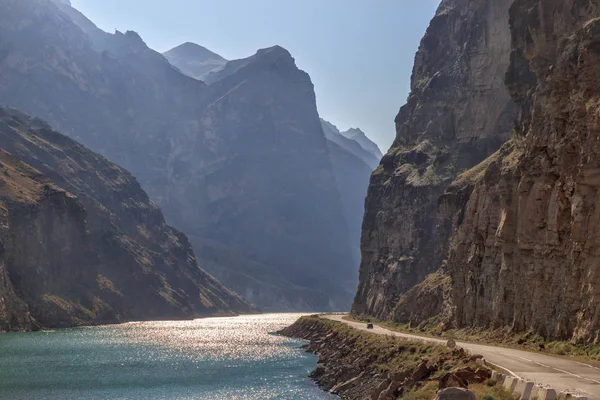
x,y
360,365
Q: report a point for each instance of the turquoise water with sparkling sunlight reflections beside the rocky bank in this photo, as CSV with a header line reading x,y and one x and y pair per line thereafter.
x,y
216,358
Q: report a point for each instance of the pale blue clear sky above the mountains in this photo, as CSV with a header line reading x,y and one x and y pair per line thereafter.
x,y
359,53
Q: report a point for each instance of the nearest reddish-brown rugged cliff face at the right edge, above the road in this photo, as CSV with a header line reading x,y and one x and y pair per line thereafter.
x,y
526,251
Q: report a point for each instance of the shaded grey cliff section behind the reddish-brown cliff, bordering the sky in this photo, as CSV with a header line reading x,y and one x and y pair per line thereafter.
x,y
458,113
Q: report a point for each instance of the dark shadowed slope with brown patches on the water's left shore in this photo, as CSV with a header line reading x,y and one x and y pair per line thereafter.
x,y
81,243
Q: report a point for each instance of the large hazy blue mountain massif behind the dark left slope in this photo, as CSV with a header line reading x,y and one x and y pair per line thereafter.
x,y
240,165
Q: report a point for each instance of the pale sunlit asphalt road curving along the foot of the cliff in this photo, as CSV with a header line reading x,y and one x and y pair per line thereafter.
x,y
561,374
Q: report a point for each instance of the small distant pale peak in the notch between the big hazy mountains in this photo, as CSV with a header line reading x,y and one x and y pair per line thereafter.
x,y
194,60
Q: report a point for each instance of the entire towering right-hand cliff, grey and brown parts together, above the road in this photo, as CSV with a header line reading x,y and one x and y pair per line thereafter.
x,y
511,242
